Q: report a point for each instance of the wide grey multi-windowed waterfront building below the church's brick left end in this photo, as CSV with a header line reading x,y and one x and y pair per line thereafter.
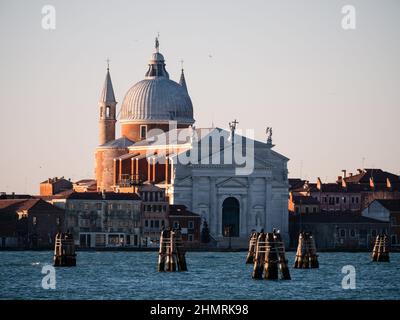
x,y
102,219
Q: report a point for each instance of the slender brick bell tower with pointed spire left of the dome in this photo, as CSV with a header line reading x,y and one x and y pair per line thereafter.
x,y
107,105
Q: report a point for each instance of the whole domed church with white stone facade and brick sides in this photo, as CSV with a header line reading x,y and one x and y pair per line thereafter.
x,y
236,183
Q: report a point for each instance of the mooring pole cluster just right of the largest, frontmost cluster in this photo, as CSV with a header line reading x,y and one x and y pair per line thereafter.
x,y
306,255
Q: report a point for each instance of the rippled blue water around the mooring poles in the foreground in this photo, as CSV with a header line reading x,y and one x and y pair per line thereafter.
x,y
133,275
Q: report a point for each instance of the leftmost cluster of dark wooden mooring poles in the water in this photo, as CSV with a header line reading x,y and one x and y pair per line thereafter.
x,y
64,250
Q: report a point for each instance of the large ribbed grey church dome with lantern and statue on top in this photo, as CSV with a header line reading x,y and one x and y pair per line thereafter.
x,y
157,98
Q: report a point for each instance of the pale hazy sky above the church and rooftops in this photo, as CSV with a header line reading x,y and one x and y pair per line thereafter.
x,y
331,94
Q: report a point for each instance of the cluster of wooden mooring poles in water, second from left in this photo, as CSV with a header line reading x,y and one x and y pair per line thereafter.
x,y
171,256
